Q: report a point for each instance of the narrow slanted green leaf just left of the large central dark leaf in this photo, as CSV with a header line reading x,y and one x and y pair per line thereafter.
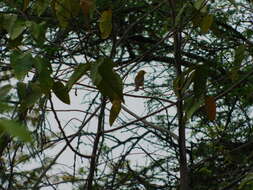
x,y
78,73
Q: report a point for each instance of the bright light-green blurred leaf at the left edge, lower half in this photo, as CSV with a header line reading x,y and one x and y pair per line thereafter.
x,y
15,129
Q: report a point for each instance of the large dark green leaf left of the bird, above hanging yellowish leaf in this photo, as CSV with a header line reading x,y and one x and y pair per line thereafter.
x,y
106,79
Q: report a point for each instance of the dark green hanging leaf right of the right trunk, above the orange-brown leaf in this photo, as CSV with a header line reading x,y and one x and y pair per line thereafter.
x,y
199,81
